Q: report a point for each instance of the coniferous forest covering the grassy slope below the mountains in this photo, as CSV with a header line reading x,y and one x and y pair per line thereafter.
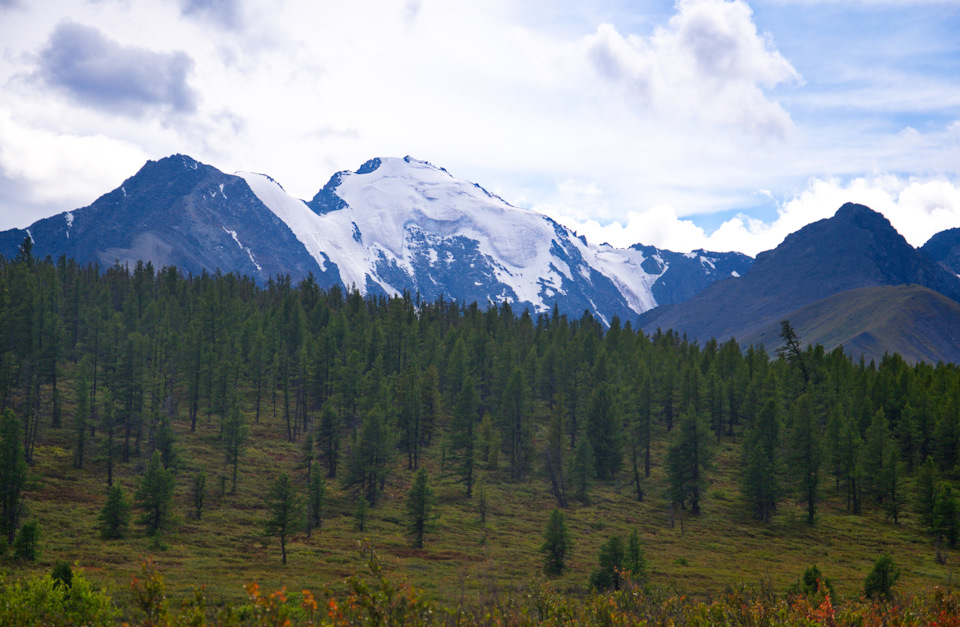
x,y
492,458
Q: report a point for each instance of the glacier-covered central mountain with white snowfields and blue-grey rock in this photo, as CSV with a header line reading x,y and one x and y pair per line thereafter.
x,y
404,224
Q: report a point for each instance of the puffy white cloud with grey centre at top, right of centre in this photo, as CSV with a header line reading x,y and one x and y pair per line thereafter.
x,y
708,63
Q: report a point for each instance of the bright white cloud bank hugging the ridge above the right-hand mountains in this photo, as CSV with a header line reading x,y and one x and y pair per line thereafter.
x,y
918,209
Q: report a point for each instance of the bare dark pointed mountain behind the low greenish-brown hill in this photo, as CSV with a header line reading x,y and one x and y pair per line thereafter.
x,y
856,248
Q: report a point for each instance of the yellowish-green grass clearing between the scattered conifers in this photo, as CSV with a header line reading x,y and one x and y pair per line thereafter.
x,y
462,561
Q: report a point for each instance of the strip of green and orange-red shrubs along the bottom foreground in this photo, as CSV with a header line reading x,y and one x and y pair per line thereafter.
x,y
371,598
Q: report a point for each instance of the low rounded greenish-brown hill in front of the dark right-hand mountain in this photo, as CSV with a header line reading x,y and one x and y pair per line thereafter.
x,y
914,321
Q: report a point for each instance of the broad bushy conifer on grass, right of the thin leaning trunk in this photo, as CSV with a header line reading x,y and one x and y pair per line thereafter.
x,y
688,459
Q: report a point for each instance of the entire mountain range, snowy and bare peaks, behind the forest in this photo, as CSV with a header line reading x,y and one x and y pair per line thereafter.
x,y
404,225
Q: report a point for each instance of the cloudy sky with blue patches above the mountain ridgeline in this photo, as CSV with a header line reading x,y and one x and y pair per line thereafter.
x,y
716,124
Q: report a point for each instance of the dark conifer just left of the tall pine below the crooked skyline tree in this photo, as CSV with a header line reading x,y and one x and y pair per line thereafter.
x,y
761,462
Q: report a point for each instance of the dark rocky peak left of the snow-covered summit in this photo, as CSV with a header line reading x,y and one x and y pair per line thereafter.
x,y
176,212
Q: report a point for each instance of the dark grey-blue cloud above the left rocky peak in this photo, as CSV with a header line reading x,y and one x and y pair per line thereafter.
x,y
106,75
